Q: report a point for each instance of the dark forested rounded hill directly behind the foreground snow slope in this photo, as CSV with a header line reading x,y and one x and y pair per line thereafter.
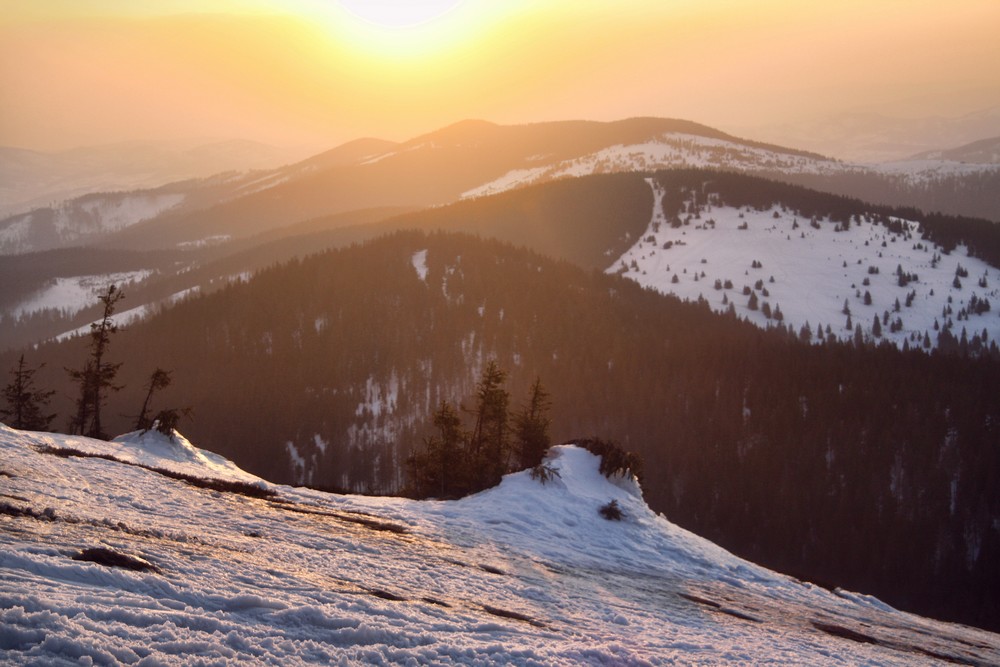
x,y
868,468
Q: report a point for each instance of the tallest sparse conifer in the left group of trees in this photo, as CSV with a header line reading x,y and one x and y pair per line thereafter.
x,y
97,376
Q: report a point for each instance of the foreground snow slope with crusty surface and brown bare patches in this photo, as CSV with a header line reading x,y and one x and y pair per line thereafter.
x,y
521,574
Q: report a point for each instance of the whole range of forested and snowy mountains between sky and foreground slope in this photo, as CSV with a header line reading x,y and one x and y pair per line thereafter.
x,y
315,316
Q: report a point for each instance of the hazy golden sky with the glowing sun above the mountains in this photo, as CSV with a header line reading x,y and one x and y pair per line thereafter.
x,y
83,72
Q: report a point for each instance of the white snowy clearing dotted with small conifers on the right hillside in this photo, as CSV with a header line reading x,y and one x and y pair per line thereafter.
x,y
808,270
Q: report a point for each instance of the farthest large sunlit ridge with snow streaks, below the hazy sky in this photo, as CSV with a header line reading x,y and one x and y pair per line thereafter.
x,y
471,158
